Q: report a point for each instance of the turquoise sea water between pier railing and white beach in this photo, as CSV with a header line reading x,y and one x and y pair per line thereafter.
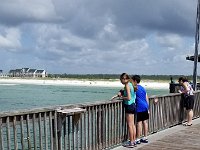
x,y
24,96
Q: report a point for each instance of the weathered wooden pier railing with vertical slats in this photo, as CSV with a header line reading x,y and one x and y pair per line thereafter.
x,y
88,126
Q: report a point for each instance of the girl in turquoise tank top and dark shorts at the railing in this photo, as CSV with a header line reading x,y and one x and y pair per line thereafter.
x,y
129,97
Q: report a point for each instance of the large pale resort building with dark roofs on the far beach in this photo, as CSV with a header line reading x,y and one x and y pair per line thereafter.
x,y
28,72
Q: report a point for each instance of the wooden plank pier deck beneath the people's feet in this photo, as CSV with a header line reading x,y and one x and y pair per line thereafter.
x,y
175,138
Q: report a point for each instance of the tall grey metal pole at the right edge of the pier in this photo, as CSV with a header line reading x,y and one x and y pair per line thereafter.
x,y
196,47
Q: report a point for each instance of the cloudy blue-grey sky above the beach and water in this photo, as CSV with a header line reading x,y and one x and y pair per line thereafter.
x,y
149,37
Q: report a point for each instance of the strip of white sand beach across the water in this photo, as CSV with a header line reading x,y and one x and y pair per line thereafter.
x,y
83,82
